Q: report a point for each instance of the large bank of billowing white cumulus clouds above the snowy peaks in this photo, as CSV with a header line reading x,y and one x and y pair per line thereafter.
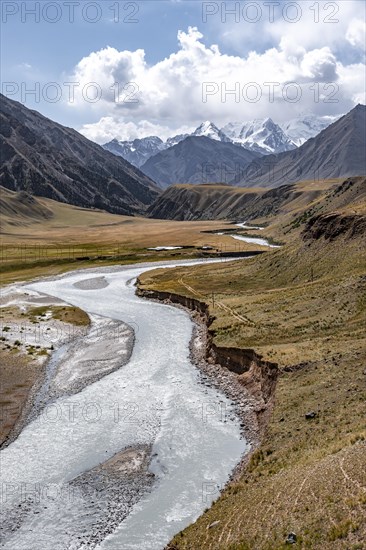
x,y
199,82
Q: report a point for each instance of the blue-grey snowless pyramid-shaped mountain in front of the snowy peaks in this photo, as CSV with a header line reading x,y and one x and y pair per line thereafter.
x,y
198,160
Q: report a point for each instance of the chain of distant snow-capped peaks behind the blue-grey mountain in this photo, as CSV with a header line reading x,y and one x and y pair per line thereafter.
x,y
262,136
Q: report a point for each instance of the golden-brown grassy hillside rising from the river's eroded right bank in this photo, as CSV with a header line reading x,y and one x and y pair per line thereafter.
x,y
301,307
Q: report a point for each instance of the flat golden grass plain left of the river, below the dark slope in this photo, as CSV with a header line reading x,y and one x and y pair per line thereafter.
x,y
76,238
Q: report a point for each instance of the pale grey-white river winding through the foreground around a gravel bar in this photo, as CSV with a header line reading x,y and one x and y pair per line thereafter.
x,y
159,400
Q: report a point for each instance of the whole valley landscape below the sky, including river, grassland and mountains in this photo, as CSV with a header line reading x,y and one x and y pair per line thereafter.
x,y
234,420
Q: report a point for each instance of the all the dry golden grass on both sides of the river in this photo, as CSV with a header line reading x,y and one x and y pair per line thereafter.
x,y
302,306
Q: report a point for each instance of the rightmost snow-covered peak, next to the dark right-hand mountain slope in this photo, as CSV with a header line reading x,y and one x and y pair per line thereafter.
x,y
306,126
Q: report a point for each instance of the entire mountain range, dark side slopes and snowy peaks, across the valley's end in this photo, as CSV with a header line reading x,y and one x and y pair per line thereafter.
x,y
46,159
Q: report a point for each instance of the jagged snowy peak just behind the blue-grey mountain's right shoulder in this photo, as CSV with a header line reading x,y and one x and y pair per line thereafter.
x,y
261,135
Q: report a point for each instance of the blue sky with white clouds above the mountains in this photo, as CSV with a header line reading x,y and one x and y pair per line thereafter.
x,y
129,69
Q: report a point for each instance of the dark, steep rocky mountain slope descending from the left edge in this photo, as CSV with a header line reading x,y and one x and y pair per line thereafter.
x,y
49,160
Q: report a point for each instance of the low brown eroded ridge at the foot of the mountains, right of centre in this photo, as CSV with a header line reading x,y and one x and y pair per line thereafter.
x,y
214,202
